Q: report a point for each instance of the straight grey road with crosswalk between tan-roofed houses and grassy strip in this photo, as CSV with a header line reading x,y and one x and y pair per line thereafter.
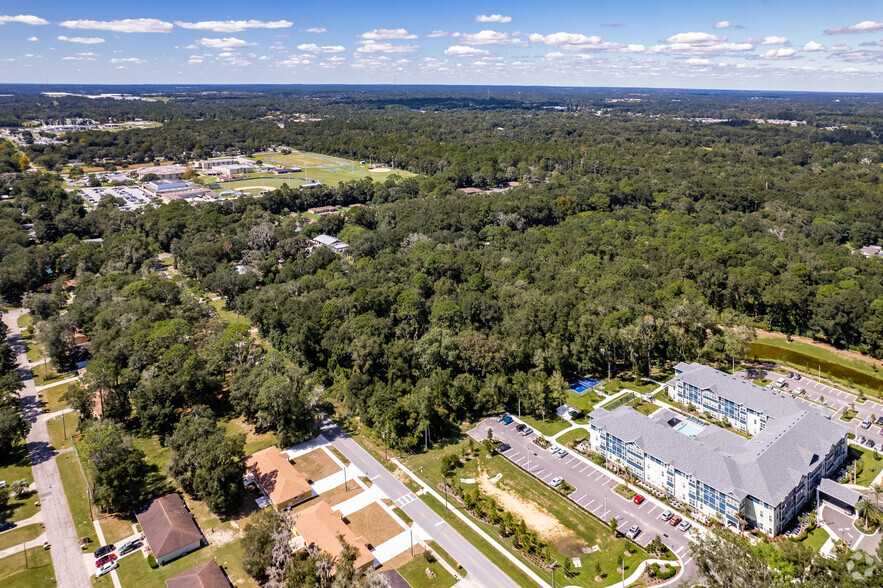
x,y
479,567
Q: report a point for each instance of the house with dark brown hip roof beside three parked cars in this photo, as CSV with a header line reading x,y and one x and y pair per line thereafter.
x,y
168,527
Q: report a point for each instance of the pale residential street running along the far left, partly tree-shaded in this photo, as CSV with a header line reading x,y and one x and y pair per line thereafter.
x,y
66,553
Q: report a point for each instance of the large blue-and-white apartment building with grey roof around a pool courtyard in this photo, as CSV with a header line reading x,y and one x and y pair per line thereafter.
x,y
766,479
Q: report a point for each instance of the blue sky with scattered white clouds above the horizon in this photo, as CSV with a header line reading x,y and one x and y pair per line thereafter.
x,y
749,44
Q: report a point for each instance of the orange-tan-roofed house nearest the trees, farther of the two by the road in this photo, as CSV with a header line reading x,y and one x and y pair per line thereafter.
x,y
276,477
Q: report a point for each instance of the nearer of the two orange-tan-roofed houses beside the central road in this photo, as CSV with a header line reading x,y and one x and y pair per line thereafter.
x,y
320,526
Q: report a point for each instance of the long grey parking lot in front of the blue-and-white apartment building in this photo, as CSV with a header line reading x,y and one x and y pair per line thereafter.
x,y
594,488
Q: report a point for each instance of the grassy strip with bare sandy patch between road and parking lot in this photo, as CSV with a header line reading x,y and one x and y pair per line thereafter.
x,y
524,493
